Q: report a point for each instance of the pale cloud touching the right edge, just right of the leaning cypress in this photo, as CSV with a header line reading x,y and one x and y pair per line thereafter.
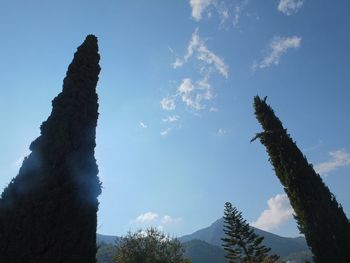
x,y
339,158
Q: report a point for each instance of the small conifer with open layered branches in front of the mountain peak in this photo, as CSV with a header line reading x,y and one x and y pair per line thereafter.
x,y
241,243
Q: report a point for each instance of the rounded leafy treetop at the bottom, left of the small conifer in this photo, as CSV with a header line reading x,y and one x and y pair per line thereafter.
x,y
150,246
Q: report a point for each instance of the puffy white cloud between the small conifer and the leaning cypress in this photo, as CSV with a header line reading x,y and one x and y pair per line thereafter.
x,y
278,212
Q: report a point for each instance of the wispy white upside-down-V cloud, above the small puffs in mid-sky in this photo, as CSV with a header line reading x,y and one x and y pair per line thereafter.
x,y
197,47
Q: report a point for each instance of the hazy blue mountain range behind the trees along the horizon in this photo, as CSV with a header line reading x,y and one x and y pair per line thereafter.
x,y
204,245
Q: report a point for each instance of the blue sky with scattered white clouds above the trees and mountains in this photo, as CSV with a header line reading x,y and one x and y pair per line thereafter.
x,y
175,91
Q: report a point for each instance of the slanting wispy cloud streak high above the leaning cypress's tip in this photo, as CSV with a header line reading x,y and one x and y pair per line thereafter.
x,y
278,46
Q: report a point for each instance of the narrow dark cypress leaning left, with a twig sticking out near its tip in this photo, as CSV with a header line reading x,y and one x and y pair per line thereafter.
x,y
318,214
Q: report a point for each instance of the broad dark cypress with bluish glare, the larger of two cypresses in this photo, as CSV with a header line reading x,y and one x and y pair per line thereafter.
x,y
48,211
